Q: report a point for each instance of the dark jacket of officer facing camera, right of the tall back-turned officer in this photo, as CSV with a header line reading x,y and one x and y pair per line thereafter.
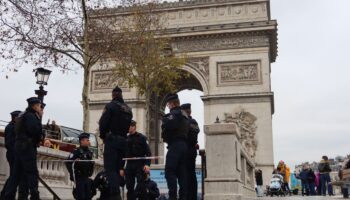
x,y
137,146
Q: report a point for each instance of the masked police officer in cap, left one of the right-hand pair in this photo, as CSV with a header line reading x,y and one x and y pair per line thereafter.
x,y
175,128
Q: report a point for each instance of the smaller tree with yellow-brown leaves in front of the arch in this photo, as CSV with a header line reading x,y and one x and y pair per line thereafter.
x,y
144,58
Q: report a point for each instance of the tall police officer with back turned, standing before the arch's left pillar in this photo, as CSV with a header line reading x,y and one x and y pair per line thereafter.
x,y
114,125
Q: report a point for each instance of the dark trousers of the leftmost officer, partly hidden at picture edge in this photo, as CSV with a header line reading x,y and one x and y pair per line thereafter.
x,y
22,188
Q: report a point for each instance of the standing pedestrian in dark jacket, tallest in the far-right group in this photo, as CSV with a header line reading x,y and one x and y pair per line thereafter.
x,y
324,169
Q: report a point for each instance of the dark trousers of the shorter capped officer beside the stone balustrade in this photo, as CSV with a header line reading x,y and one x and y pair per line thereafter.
x,y
83,188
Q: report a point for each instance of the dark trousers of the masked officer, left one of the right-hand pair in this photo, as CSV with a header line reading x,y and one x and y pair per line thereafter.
x,y
175,169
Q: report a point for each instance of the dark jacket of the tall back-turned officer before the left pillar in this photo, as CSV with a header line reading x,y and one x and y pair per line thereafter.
x,y
115,119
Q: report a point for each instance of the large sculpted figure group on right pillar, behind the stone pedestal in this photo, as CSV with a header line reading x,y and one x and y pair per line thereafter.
x,y
245,122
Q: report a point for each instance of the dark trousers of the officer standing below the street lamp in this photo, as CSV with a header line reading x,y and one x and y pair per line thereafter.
x,y
25,168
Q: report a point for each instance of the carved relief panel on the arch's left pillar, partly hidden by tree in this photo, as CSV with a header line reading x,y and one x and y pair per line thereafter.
x,y
103,81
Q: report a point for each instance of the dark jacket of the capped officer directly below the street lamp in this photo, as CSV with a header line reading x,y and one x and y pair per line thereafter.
x,y
28,128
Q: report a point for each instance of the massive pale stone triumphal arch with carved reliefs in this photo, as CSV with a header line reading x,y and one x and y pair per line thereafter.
x,y
231,45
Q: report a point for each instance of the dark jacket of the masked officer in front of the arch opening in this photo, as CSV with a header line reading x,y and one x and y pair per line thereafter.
x,y
175,126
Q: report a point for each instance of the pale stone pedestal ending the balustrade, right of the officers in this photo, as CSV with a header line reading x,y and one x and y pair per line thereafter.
x,y
224,164
